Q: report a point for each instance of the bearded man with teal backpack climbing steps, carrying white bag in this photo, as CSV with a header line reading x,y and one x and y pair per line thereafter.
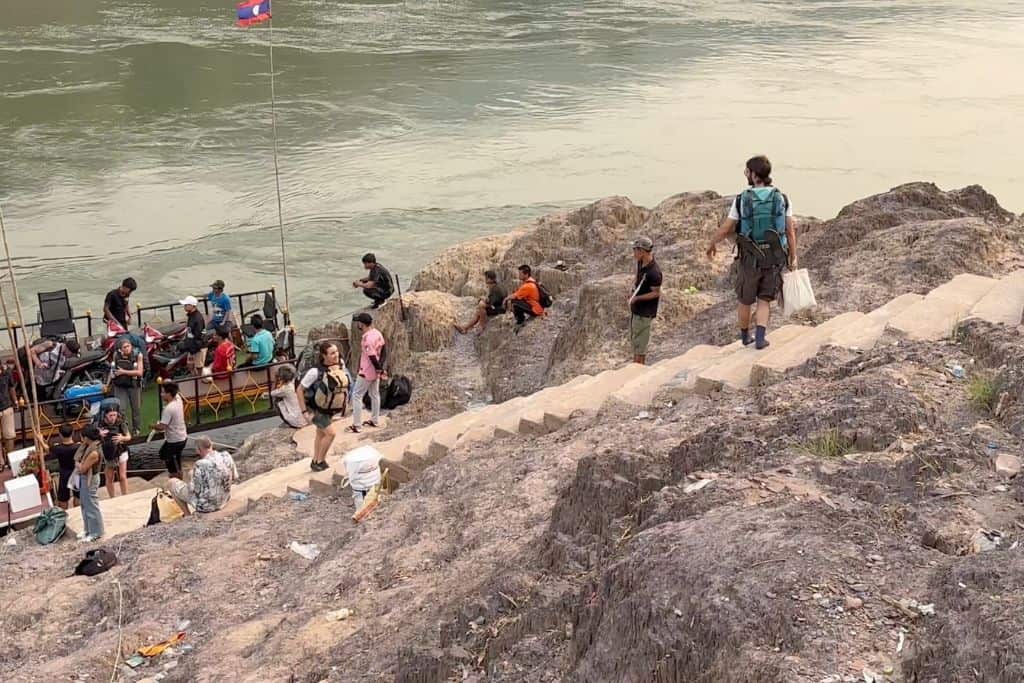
x,y
766,242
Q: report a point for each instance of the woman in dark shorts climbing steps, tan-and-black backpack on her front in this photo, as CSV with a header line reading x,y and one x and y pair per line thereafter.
x,y
325,393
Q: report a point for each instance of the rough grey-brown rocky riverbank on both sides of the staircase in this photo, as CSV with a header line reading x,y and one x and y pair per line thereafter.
x,y
844,525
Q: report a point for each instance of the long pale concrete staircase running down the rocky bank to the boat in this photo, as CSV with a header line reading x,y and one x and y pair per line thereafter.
x,y
702,369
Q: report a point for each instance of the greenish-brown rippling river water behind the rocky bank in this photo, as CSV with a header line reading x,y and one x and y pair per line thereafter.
x,y
136,137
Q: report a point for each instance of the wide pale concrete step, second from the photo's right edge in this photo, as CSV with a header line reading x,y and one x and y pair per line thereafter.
x,y
936,316
